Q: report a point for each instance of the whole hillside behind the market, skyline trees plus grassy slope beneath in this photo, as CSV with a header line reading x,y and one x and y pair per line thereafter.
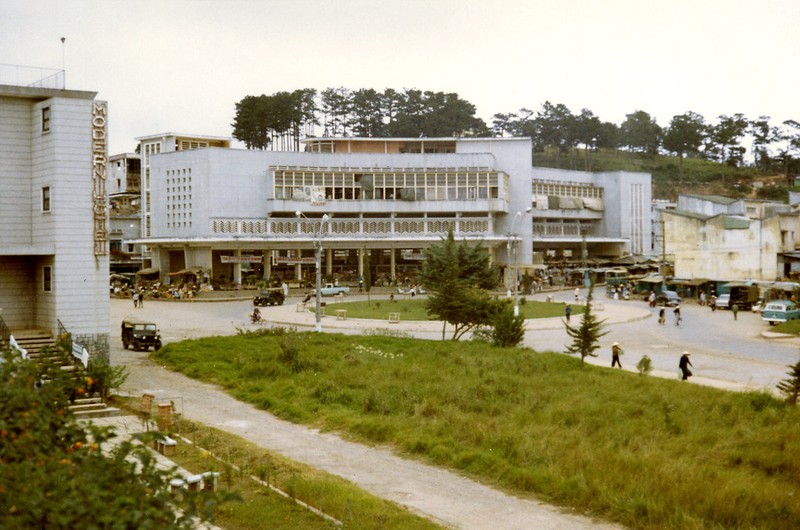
x,y
725,156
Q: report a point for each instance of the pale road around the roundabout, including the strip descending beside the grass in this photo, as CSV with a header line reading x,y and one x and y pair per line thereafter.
x,y
726,354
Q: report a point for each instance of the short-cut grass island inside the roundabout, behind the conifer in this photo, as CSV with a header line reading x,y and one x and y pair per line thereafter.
x,y
414,309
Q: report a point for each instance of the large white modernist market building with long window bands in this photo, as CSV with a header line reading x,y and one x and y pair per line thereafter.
x,y
379,202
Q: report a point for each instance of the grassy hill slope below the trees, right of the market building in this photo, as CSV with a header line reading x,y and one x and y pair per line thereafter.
x,y
699,176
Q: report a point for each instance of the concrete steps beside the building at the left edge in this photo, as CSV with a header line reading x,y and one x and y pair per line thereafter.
x,y
41,348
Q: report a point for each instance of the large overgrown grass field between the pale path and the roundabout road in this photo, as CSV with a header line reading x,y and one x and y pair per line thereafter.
x,y
643,451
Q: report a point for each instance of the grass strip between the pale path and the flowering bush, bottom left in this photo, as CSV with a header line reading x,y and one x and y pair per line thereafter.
x,y
238,461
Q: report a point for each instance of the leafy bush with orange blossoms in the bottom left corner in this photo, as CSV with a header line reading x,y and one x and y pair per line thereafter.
x,y
55,475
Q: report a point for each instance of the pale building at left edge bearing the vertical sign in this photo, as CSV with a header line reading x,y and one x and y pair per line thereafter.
x,y
53,209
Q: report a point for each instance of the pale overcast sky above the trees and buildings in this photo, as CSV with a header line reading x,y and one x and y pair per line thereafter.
x,y
181,65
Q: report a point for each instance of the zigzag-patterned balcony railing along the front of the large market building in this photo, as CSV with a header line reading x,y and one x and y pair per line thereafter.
x,y
351,228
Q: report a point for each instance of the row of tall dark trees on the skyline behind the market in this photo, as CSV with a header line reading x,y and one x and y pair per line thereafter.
x,y
279,121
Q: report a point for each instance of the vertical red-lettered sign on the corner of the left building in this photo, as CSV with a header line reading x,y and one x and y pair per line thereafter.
x,y
99,159
